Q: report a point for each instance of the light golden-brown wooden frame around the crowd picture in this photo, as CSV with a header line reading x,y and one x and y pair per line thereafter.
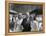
x,y
7,17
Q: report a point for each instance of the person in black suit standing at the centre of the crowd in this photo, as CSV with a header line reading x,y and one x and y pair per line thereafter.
x,y
26,24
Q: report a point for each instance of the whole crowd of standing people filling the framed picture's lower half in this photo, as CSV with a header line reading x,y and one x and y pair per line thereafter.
x,y
26,22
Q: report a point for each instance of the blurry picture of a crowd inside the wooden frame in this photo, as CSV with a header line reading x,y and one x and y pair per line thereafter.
x,y
25,18
